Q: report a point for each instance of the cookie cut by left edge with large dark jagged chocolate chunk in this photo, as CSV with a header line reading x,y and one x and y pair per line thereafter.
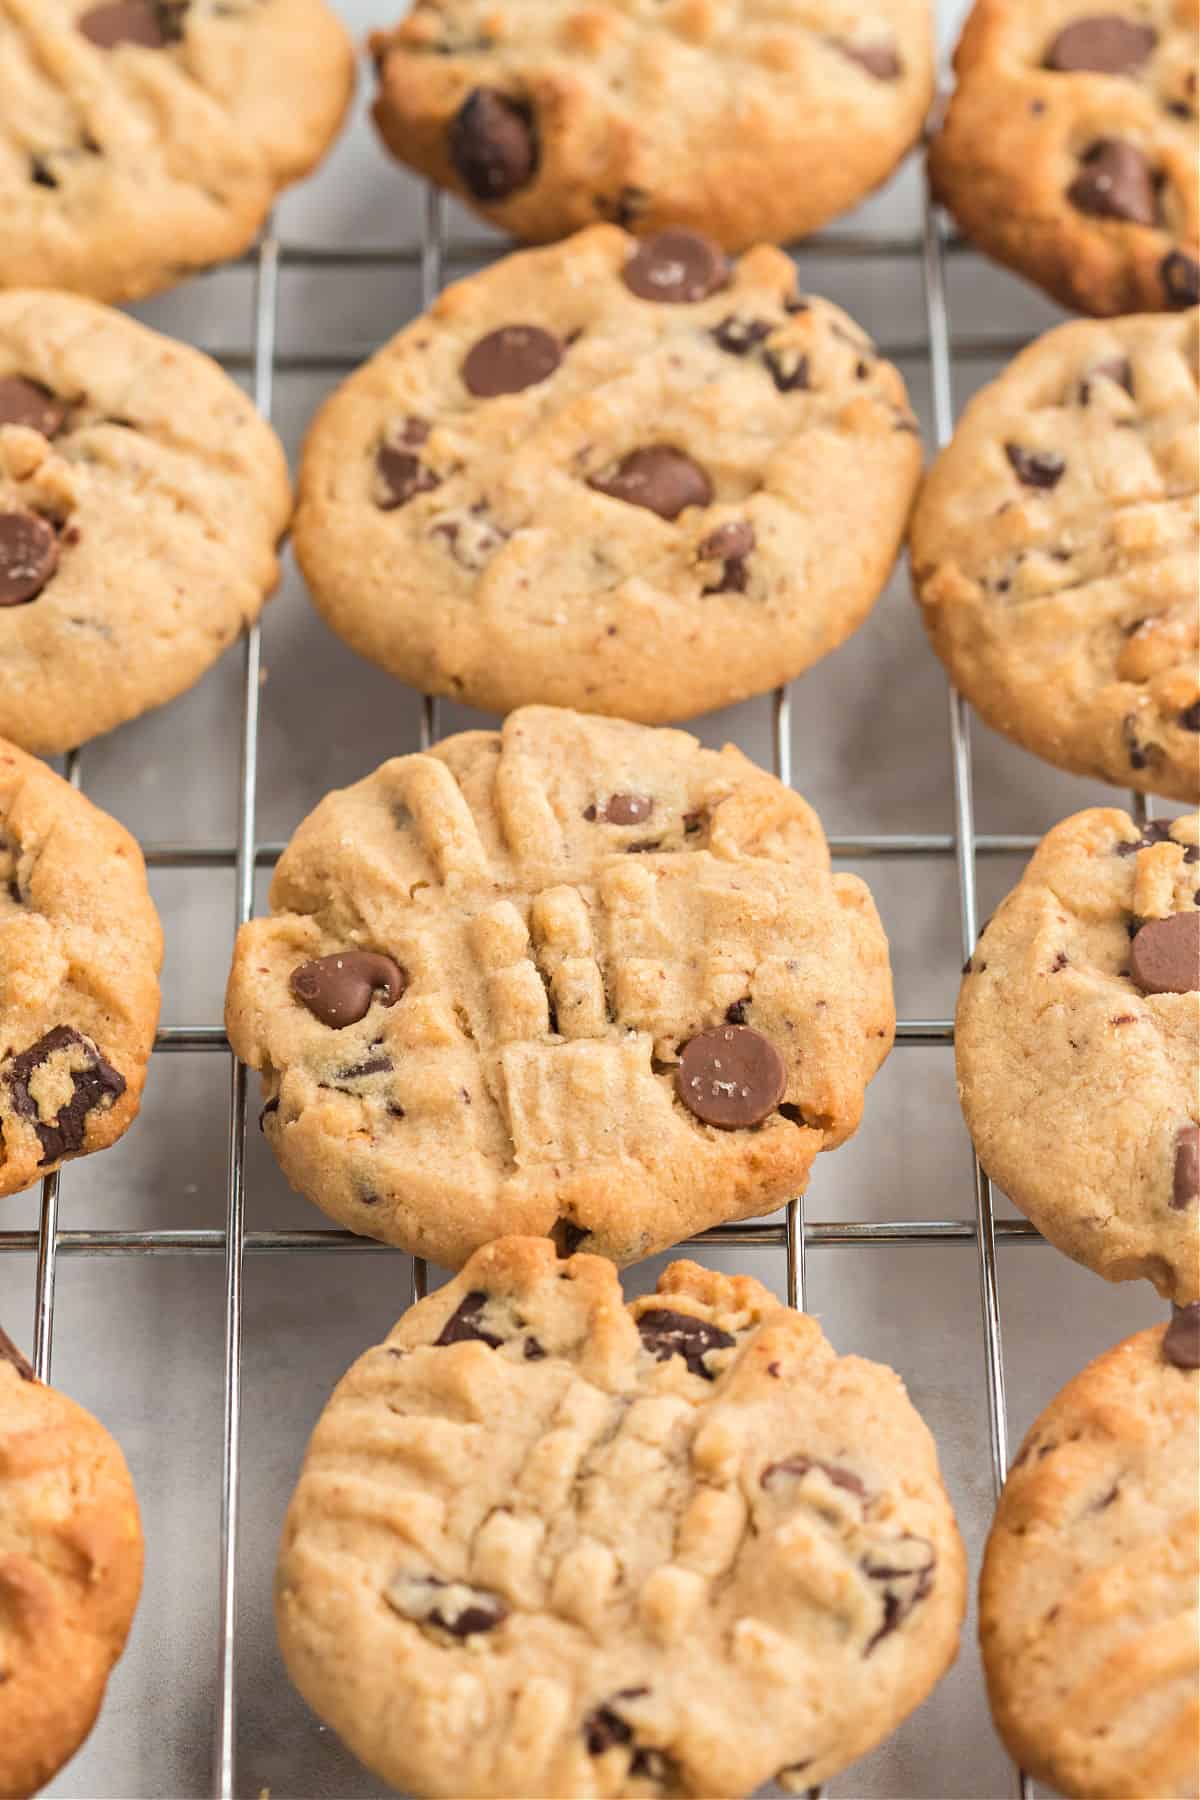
x,y
80,957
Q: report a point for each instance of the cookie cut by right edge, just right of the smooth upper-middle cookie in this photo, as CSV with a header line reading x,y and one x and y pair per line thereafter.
x,y
1055,553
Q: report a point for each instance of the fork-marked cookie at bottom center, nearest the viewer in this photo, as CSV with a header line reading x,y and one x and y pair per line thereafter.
x,y
551,1545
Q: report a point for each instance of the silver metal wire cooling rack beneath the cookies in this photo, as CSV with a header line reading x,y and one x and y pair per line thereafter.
x,y
793,1234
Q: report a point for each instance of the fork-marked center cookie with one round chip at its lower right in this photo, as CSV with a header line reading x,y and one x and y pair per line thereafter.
x,y
575,976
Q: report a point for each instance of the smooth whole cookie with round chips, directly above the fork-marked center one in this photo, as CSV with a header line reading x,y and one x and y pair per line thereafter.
x,y
623,478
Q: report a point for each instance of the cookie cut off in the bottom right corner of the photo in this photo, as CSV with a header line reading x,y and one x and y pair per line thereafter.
x,y
1088,1605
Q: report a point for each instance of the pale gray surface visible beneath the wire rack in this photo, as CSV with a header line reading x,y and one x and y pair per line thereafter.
x,y
139,1340
